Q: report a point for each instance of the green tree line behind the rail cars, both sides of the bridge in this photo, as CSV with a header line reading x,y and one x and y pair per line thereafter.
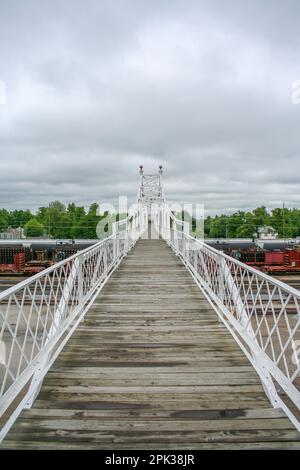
x,y
71,221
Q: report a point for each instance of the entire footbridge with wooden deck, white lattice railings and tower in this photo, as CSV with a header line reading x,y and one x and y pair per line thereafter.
x,y
150,339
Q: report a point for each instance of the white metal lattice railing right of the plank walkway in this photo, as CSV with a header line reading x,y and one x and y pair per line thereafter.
x,y
262,313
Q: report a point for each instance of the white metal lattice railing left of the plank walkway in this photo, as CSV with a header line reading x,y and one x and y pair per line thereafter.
x,y
38,315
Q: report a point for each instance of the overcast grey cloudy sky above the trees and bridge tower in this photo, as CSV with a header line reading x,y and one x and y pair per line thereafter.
x,y
95,88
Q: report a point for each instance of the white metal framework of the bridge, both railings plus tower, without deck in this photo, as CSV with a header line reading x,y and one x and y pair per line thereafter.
x,y
38,316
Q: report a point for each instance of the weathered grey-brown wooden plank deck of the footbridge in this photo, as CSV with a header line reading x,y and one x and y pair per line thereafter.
x,y
152,368
